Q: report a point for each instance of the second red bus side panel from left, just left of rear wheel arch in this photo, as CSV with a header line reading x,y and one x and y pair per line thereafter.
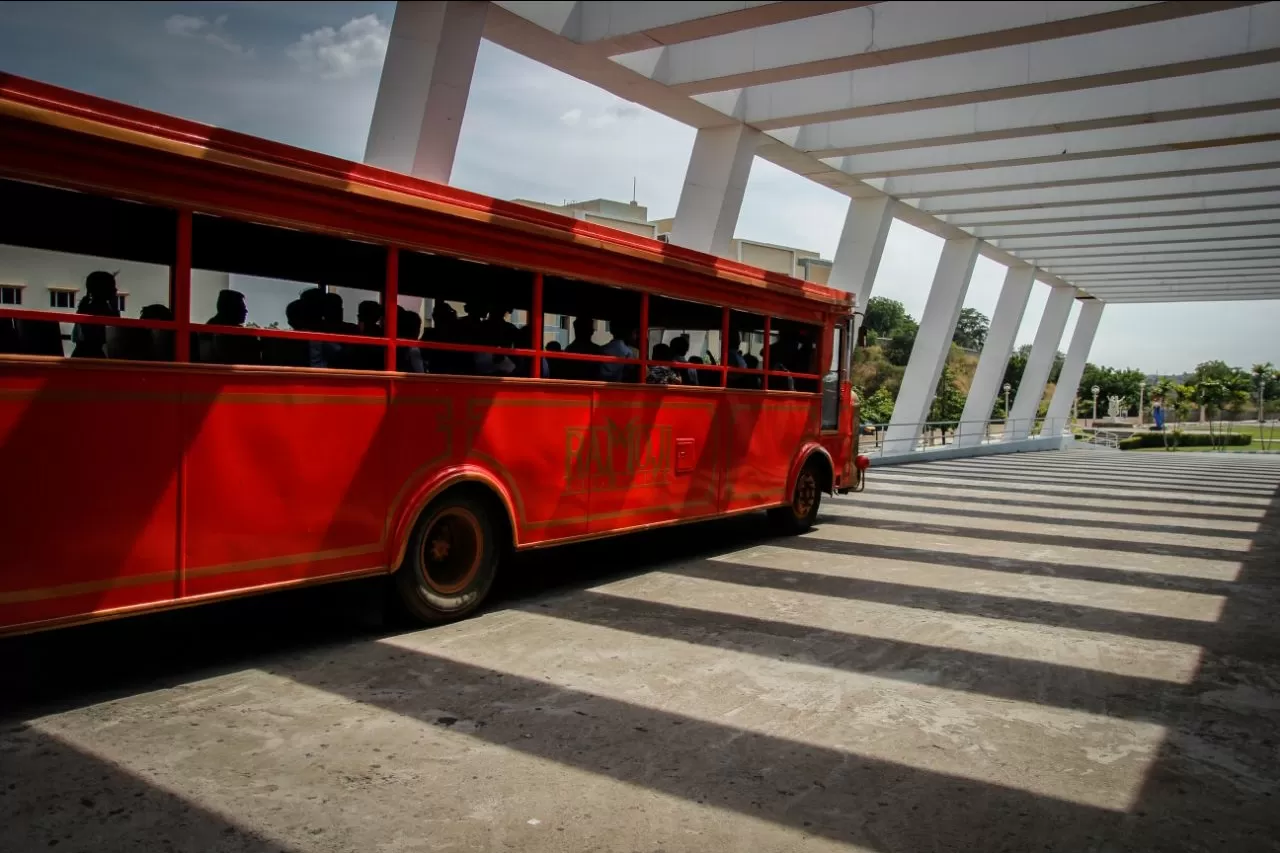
x,y
286,478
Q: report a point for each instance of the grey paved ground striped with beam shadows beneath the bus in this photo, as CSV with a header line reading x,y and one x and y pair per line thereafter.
x,y
1075,651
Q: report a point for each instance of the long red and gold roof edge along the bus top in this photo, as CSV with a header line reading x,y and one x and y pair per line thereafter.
x,y
68,111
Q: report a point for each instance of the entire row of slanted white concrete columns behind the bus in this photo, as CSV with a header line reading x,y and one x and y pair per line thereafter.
x,y
418,117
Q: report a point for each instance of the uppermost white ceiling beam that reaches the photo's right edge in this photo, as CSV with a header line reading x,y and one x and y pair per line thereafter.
x,y
1231,39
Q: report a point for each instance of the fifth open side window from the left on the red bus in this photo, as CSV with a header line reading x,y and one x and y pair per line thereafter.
x,y
685,334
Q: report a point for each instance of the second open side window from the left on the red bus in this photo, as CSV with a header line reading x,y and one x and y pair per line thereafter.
x,y
246,276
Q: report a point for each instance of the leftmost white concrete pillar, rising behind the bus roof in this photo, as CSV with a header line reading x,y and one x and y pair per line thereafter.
x,y
423,93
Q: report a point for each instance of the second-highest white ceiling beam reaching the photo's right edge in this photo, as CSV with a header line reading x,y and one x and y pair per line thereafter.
x,y
1148,103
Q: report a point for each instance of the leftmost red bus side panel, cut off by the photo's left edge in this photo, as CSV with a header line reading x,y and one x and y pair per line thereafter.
x,y
88,463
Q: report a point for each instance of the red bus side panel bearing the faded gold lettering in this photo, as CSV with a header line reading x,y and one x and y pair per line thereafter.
x,y
629,458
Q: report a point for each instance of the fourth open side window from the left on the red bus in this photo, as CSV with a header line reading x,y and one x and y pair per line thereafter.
x,y
598,325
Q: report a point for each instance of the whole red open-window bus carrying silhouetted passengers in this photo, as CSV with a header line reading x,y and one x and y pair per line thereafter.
x,y
276,416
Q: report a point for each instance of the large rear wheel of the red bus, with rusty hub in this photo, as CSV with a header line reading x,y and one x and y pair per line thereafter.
x,y
451,560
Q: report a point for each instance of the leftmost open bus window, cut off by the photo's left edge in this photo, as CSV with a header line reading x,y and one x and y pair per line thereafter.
x,y
71,253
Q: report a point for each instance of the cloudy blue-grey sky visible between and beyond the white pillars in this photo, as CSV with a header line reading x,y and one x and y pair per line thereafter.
x,y
307,74
